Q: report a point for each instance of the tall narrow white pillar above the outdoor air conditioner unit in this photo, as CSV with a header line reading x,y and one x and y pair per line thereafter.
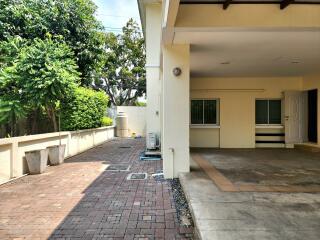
x,y
153,33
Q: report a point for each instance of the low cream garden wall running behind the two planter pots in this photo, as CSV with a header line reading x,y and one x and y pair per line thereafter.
x,y
12,157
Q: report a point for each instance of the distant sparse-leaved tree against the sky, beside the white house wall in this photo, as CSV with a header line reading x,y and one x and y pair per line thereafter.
x,y
124,76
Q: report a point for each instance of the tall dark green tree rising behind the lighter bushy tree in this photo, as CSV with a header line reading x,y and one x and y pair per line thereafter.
x,y
72,19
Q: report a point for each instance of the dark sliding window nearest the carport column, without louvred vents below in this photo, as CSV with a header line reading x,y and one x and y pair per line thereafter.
x,y
204,111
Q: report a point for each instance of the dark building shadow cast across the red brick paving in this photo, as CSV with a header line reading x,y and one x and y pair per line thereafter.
x,y
113,207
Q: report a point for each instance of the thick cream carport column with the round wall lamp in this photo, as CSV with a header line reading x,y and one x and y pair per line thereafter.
x,y
175,109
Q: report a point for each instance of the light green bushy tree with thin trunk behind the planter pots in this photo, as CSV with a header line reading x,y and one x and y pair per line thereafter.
x,y
42,74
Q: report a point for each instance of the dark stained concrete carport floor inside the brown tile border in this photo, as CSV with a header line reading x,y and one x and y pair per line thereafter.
x,y
266,167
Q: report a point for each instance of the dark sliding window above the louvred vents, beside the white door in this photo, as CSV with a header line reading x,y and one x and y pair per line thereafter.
x,y
268,111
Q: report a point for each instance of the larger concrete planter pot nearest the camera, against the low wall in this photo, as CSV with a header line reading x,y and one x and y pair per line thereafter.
x,y
37,160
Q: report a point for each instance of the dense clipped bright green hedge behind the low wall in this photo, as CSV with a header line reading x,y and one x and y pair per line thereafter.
x,y
83,110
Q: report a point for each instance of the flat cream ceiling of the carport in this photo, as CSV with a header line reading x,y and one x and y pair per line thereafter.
x,y
252,53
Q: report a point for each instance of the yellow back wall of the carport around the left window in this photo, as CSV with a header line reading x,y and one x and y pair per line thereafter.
x,y
237,107
